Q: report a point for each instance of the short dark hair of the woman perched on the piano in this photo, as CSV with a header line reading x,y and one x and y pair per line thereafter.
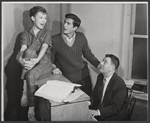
x,y
33,11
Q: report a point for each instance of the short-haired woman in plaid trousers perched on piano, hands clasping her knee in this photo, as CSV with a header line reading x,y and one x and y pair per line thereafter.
x,y
35,57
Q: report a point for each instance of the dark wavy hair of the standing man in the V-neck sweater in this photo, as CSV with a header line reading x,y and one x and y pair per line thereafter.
x,y
75,18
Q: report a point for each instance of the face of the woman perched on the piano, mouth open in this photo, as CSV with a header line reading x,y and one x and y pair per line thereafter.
x,y
40,20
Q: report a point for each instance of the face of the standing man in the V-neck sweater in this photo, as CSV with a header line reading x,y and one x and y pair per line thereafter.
x,y
68,26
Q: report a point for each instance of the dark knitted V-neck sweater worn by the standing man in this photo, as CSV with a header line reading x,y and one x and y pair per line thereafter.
x,y
70,60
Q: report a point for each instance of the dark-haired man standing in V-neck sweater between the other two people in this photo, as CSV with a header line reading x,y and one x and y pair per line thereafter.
x,y
69,47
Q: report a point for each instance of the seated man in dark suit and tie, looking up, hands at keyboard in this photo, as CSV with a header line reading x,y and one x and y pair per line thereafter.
x,y
108,100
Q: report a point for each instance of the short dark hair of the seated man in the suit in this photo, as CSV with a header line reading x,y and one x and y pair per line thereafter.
x,y
114,60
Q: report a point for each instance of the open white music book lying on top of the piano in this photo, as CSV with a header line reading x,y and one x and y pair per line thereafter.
x,y
56,90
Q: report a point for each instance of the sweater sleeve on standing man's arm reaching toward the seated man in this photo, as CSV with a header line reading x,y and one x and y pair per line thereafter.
x,y
87,53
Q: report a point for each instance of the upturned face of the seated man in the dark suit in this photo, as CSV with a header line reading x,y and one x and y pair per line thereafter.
x,y
106,65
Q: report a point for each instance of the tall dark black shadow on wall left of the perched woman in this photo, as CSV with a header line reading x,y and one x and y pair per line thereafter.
x,y
14,86
